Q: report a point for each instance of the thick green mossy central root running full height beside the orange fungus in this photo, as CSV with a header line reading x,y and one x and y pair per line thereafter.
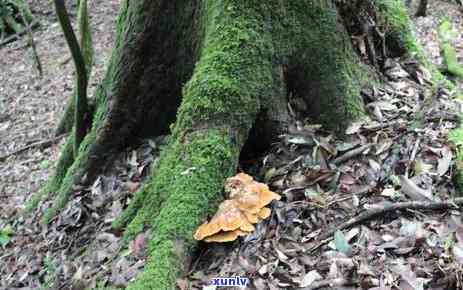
x,y
234,71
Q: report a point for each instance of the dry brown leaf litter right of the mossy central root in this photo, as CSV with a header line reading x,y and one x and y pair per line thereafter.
x,y
399,153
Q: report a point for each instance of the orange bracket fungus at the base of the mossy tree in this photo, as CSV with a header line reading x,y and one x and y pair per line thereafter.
x,y
236,216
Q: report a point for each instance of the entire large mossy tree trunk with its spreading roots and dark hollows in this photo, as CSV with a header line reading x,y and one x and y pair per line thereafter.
x,y
222,73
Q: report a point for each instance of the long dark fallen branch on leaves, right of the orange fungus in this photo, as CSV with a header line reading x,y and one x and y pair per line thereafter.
x,y
377,212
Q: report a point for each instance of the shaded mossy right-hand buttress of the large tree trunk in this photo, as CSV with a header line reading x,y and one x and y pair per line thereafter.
x,y
323,64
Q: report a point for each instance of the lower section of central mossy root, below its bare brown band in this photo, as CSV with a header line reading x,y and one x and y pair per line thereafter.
x,y
190,189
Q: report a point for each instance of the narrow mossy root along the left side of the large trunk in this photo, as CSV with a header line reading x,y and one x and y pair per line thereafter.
x,y
93,151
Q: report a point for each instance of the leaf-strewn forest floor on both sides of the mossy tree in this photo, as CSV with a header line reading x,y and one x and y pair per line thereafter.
x,y
406,157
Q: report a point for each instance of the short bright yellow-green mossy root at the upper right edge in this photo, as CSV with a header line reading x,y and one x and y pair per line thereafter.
x,y
450,55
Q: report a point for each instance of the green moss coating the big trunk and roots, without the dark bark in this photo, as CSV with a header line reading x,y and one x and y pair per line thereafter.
x,y
243,48
